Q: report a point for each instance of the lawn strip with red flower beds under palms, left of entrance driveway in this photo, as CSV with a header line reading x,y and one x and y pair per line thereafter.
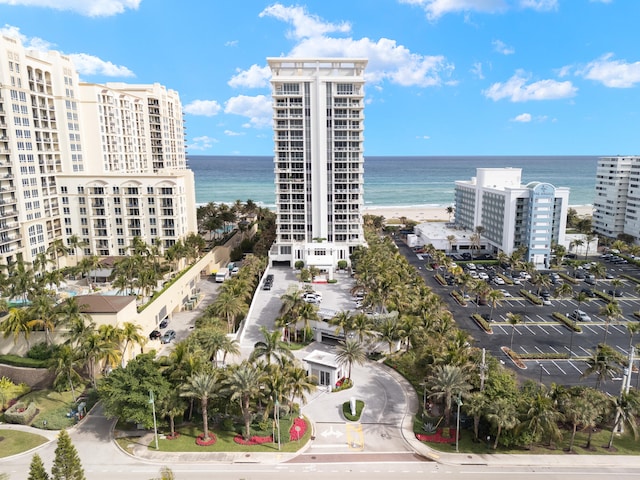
x,y
187,441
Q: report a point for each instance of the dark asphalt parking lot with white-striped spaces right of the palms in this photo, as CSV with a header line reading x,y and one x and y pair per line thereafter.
x,y
539,332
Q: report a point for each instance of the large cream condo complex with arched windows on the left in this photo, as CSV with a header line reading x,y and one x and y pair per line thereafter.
x,y
105,163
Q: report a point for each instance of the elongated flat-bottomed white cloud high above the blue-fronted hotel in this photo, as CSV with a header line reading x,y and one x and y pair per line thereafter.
x,y
516,89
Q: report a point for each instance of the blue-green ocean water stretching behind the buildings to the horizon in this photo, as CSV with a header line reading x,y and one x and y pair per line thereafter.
x,y
392,181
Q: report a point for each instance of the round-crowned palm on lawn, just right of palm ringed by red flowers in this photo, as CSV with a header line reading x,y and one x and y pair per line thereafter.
x,y
243,383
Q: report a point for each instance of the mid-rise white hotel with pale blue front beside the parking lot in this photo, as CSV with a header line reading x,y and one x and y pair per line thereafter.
x,y
512,214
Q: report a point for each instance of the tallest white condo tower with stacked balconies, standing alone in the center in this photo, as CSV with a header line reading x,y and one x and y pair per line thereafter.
x,y
318,123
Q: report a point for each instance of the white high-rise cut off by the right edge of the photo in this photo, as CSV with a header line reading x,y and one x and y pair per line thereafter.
x,y
617,201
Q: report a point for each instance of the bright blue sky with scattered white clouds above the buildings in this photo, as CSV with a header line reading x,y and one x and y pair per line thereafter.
x,y
445,77
